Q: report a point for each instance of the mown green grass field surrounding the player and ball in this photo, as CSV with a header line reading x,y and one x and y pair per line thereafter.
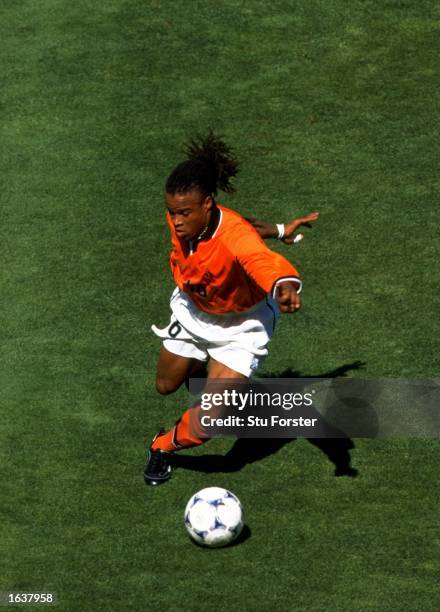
x,y
331,106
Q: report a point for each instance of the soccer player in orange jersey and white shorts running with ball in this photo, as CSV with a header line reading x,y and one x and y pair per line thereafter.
x,y
229,288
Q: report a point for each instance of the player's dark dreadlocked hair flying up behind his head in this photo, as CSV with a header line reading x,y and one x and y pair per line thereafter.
x,y
209,166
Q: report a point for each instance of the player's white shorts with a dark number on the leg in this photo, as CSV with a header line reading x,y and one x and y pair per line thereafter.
x,y
237,340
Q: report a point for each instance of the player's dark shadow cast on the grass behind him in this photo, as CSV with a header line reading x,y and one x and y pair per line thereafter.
x,y
249,450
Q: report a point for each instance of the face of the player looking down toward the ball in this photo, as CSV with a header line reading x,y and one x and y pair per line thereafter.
x,y
189,212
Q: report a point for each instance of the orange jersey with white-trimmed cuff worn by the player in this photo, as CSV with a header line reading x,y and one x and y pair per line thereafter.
x,y
231,271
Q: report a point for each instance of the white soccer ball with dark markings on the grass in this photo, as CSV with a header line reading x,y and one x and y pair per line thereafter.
x,y
214,517
